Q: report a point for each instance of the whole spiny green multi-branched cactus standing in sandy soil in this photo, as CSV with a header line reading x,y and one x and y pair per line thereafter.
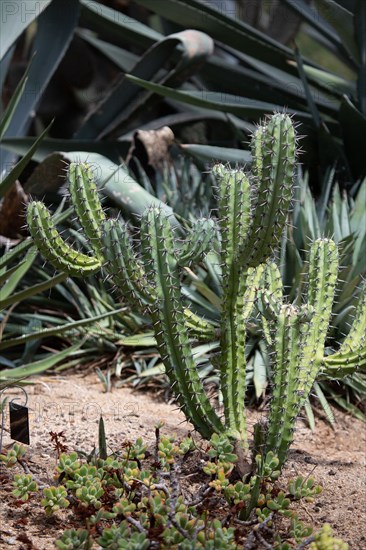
x,y
252,214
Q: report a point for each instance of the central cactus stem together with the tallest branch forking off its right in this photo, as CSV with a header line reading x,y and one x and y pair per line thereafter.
x,y
252,215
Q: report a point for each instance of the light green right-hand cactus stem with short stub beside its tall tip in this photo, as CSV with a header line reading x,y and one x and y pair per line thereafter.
x,y
297,344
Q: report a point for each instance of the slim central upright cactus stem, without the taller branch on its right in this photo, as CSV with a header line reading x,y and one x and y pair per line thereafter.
x,y
234,219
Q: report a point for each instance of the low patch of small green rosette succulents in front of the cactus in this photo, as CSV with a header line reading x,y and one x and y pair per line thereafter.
x,y
134,499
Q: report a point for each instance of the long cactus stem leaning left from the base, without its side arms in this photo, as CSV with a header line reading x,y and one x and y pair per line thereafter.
x,y
168,315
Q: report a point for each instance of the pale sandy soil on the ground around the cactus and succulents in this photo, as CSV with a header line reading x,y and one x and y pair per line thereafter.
x,y
336,457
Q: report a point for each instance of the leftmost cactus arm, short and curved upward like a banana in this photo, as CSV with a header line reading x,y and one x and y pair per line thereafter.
x,y
53,247
